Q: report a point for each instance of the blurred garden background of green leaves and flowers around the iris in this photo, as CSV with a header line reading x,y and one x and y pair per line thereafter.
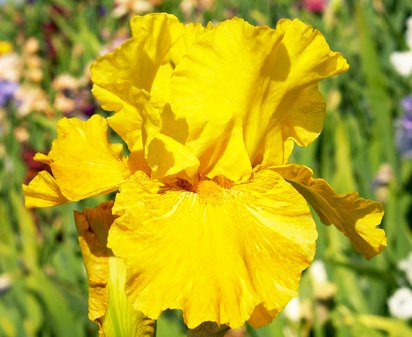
x,y
45,51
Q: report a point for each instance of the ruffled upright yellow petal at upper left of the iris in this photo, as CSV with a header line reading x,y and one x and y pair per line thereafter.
x,y
126,75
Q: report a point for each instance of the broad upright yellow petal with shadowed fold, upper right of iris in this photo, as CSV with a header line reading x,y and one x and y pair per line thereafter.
x,y
259,90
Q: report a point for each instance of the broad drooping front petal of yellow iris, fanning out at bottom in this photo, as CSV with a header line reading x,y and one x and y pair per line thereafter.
x,y
216,253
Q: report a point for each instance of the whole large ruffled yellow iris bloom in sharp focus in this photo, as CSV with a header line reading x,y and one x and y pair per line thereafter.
x,y
210,218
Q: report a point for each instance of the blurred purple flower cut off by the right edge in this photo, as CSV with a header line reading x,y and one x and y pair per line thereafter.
x,y
404,129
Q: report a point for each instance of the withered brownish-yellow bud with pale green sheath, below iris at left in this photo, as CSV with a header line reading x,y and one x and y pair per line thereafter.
x,y
108,305
